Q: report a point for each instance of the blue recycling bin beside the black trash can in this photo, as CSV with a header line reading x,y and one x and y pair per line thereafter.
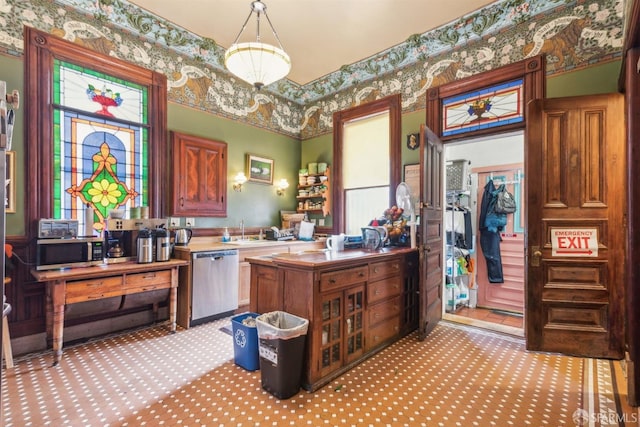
x,y
245,341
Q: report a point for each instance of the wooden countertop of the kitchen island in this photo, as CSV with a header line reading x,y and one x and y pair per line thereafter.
x,y
323,257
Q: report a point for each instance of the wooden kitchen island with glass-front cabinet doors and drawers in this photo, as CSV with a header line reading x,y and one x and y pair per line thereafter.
x,y
357,302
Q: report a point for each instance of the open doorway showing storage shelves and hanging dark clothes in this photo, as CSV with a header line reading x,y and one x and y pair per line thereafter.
x,y
469,296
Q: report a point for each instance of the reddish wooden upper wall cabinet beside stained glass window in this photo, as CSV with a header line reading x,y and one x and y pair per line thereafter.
x,y
199,179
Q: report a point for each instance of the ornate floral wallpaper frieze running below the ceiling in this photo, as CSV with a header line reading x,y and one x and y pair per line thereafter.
x,y
571,34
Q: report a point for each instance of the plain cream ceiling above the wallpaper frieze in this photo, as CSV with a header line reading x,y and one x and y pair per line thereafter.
x,y
320,36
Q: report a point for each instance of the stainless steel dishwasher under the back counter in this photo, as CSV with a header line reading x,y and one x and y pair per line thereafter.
x,y
214,285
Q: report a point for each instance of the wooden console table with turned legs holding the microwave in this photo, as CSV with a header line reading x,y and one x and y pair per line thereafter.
x,y
75,285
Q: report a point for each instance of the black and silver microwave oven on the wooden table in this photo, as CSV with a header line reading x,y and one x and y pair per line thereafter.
x,y
53,254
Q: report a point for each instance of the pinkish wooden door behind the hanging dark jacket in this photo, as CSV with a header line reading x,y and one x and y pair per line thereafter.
x,y
508,295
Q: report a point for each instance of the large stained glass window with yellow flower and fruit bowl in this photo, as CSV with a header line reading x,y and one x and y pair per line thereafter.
x,y
100,144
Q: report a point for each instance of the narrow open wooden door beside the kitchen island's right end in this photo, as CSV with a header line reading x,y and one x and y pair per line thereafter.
x,y
431,229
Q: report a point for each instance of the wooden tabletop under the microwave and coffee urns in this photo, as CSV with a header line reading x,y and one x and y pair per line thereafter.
x,y
104,269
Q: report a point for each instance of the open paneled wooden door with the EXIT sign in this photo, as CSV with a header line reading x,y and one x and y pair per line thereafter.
x,y
576,169
